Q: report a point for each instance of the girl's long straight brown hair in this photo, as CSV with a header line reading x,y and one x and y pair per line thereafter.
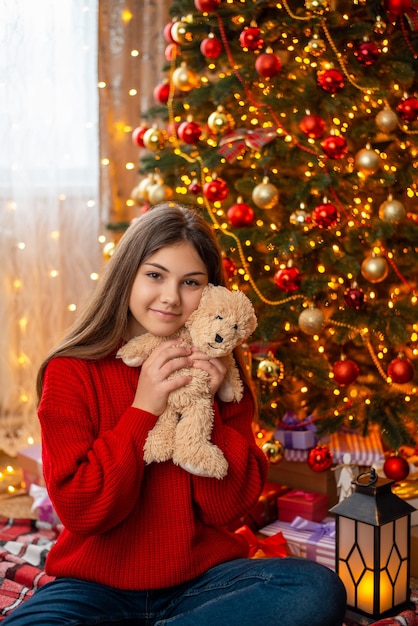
x,y
104,321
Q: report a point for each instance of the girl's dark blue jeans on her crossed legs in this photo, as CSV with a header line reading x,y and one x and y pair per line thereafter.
x,y
245,592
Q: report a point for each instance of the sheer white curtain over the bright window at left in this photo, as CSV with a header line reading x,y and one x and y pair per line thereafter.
x,y
49,180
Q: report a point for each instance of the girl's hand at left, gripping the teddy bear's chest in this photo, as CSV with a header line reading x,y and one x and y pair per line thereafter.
x,y
154,385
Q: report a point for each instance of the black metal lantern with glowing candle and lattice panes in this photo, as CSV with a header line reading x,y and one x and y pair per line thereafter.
x,y
373,547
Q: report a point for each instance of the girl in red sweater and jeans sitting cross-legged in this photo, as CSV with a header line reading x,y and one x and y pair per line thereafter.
x,y
148,544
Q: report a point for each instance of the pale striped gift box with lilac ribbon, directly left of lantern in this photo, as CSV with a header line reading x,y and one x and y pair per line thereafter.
x,y
310,540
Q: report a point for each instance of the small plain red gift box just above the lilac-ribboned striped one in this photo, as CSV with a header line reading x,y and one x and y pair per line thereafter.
x,y
307,504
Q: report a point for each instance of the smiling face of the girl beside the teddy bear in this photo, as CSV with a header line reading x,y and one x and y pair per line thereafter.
x,y
166,290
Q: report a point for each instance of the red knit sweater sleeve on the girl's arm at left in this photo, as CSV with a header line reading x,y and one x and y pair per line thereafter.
x,y
92,456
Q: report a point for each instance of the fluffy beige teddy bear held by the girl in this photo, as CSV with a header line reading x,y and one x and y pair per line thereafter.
x,y
222,321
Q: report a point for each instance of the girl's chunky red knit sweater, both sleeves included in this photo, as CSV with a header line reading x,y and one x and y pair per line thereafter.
x,y
129,525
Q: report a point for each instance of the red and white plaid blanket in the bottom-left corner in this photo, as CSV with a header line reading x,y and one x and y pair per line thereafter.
x,y
24,545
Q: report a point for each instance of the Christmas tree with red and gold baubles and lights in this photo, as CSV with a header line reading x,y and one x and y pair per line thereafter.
x,y
293,127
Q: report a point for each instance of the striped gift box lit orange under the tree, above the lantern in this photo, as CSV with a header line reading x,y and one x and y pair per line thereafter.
x,y
363,450
